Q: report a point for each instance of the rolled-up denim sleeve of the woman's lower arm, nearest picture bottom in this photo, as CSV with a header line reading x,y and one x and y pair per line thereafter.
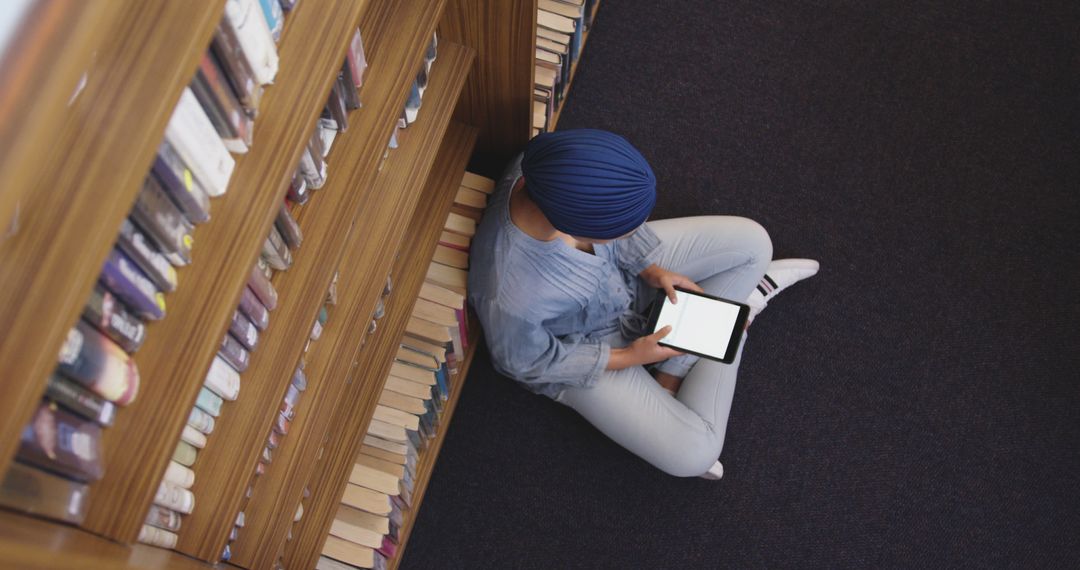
x,y
525,351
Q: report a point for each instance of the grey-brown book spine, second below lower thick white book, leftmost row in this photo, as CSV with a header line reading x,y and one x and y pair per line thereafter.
x,y
164,223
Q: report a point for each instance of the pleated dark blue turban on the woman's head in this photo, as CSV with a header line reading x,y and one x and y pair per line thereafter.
x,y
589,184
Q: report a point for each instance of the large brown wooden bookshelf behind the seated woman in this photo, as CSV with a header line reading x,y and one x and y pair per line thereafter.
x,y
73,168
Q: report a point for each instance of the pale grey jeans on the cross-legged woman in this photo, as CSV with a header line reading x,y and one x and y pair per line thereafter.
x,y
683,437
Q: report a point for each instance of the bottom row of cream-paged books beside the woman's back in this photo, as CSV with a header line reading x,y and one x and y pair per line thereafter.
x,y
367,527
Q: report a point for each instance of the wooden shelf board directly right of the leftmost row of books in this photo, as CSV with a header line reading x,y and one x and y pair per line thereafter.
x,y
179,350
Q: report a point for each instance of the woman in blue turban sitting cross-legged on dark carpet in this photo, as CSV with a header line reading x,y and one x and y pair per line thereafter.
x,y
564,268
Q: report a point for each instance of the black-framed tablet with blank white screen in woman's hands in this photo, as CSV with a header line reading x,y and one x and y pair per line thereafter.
x,y
704,325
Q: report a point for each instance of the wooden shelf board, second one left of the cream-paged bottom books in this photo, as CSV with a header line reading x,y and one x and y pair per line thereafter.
x,y
370,253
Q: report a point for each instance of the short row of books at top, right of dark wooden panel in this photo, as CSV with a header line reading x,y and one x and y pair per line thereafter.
x,y
561,28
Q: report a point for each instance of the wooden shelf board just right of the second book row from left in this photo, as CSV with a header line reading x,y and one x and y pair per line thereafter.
x,y
225,467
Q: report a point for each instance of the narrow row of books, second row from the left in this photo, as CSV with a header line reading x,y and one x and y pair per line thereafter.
x,y
251,319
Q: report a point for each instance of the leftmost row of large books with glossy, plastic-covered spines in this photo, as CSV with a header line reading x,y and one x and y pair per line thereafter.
x,y
61,447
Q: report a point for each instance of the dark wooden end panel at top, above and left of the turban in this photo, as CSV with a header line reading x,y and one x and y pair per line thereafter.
x,y
498,98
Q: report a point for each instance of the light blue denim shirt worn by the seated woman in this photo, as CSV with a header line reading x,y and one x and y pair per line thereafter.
x,y
547,307
